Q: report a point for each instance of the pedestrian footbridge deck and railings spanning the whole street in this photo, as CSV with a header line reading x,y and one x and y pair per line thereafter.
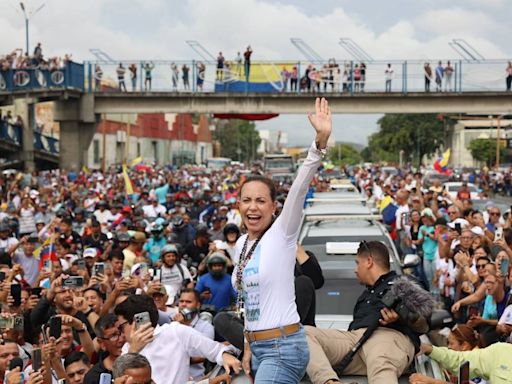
x,y
193,86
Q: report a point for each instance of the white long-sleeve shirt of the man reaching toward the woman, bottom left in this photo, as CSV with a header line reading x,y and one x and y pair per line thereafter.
x,y
170,352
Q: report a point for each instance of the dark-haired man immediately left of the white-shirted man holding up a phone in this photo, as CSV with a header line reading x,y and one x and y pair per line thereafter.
x,y
111,341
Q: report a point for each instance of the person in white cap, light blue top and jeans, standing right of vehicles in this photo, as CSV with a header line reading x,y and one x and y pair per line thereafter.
x,y
428,241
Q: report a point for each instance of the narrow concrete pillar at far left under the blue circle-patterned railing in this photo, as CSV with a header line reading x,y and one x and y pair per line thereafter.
x,y
26,109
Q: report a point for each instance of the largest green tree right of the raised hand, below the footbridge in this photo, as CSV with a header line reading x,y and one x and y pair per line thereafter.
x,y
417,135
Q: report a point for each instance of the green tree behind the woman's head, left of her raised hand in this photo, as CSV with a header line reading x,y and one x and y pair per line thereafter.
x,y
239,139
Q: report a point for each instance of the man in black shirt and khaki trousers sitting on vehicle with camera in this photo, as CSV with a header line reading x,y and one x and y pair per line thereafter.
x,y
391,347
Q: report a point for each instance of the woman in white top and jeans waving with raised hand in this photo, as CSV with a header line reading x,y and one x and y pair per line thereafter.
x,y
275,347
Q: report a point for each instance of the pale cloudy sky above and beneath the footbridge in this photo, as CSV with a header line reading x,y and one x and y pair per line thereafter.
x,y
158,29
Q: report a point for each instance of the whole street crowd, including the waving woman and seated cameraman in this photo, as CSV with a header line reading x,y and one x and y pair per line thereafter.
x,y
201,267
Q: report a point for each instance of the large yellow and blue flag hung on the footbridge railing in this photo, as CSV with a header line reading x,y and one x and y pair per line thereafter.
x,y
263,77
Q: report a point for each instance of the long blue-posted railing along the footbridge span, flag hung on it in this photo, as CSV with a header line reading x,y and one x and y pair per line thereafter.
x,y
276,76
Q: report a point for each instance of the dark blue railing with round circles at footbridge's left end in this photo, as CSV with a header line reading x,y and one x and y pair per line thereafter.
x,y
71,76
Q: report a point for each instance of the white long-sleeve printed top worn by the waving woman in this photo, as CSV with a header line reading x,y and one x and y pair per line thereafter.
x,y
268,279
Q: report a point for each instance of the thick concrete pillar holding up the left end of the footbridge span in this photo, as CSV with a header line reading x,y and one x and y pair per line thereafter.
x,y
75,138
